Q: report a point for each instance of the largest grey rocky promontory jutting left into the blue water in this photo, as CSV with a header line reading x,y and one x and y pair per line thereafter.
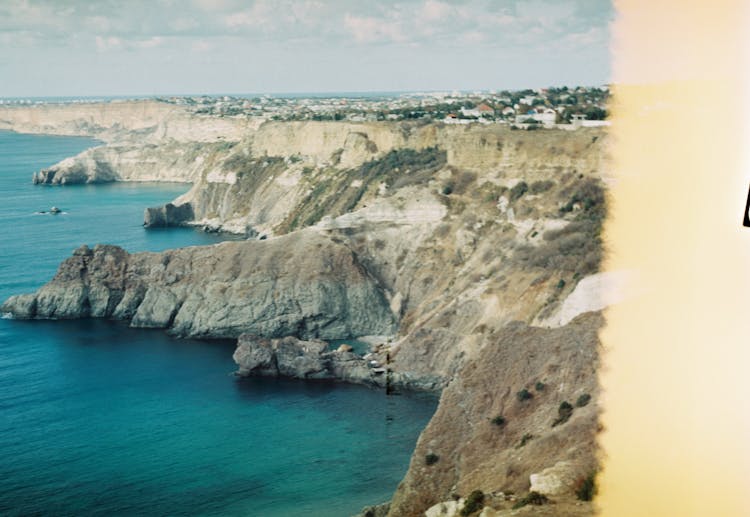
x,y
306,286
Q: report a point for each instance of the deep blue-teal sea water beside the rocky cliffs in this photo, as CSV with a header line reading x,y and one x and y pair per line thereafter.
x,y
100,419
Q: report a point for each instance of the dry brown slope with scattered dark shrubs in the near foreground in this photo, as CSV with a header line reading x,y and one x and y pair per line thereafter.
x,y
475,453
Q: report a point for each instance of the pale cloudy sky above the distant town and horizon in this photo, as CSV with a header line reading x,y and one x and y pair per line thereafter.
x,y
158,47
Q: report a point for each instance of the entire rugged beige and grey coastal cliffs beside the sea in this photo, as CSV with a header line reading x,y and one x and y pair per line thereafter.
x,y
472,254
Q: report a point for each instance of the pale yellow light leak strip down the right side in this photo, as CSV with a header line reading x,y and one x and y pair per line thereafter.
x,y
676,376
